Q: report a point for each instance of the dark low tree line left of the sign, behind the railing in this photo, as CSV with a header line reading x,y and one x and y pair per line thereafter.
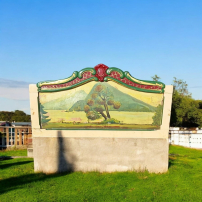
x,y
17,116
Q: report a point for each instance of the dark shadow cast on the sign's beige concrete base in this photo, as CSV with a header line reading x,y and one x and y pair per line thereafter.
x,y
65,157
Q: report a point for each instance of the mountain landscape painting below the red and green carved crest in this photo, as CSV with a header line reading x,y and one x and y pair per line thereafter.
x,y
101,105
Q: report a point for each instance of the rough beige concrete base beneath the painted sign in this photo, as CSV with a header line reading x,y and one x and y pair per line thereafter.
x,y
60,154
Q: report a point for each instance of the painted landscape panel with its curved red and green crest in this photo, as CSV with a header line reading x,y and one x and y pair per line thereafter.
x,y
101,98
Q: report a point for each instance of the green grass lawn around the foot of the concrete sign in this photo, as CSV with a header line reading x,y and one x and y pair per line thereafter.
x,y
182,182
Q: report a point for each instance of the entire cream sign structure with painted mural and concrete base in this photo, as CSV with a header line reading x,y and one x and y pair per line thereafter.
x,y
100,119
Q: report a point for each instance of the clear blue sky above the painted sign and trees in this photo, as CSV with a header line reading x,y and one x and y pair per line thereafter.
x,y
48,40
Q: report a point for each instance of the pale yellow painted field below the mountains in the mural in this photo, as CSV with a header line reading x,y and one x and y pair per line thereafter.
x,y
60,116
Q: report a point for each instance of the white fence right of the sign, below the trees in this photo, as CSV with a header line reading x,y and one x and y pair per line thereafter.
x,y
186,137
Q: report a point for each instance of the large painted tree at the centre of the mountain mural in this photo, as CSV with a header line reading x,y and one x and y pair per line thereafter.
x,y
99,103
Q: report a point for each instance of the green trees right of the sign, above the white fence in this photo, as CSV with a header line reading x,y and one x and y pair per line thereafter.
x,y
186,111
